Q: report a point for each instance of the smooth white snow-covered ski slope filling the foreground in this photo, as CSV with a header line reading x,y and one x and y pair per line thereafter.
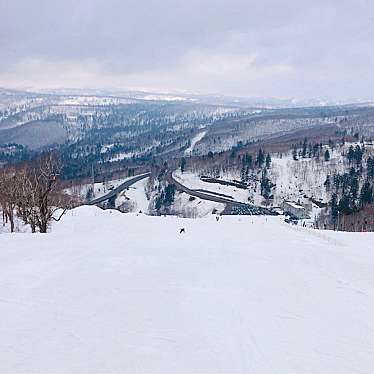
x,y
109,292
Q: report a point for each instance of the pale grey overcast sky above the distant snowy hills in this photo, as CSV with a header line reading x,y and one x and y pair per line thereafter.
x,y
263,48
